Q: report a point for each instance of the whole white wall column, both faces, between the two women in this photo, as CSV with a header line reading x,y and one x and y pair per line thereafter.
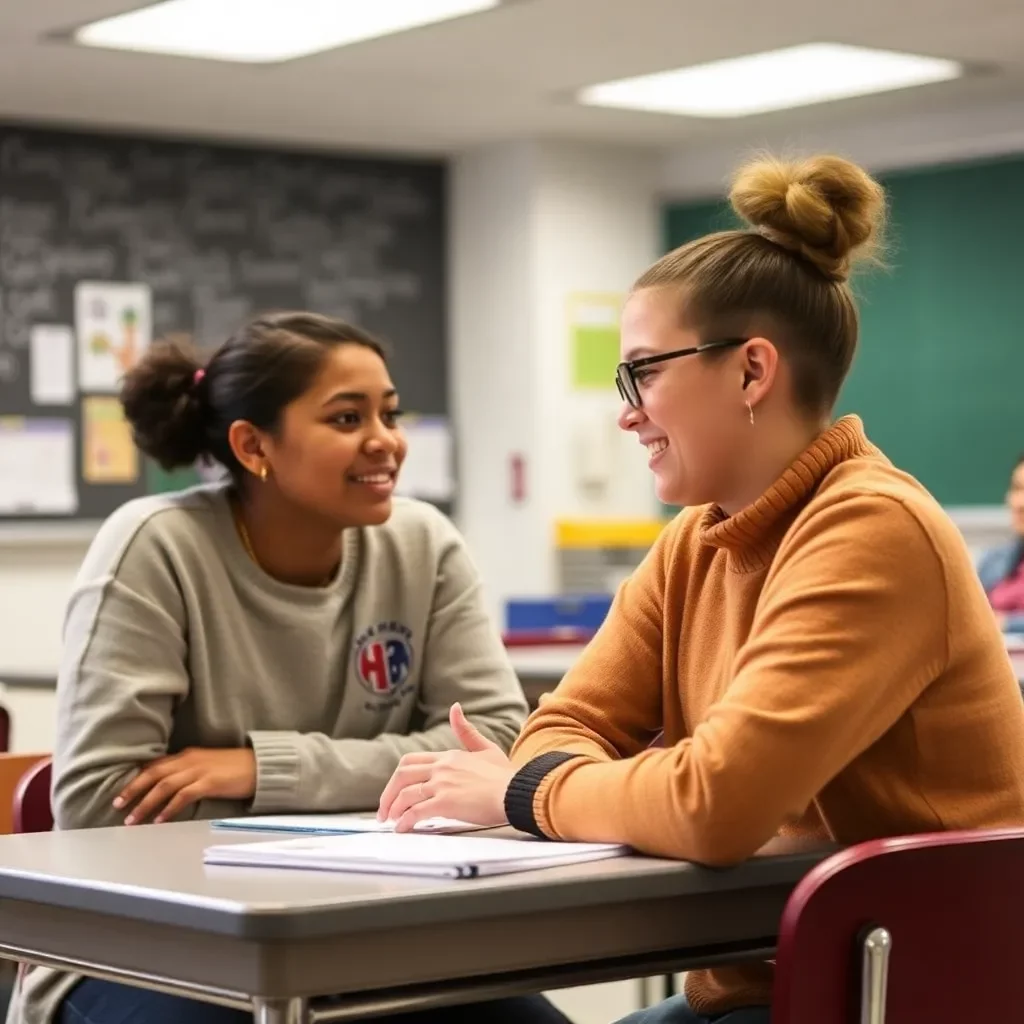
x,y
532,224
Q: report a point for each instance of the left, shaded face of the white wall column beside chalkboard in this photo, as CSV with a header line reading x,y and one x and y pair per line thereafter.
x,y
495,365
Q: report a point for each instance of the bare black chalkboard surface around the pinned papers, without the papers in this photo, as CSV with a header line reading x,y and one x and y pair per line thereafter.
x,y
218,234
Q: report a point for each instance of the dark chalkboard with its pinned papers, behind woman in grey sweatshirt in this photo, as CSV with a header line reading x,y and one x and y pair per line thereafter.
x,y
109,242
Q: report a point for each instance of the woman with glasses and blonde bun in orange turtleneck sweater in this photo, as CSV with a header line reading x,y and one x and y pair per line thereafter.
x,y
809,632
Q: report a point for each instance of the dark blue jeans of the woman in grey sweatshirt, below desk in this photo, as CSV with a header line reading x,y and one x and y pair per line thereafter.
x,y
95,1002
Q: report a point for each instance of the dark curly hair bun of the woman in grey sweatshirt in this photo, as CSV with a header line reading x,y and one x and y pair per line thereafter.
x,y
164,403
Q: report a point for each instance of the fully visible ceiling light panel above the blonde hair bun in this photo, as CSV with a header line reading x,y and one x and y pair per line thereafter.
x,y
778,80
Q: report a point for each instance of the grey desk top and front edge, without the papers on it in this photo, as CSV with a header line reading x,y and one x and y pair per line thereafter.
x,y
141,903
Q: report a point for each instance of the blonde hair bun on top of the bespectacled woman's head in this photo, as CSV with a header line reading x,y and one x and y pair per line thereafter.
x,y
828,209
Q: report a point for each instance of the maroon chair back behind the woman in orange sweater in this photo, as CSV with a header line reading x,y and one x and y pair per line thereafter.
x,y
933,923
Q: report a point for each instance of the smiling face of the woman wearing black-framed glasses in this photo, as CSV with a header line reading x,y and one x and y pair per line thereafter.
x,y
694,422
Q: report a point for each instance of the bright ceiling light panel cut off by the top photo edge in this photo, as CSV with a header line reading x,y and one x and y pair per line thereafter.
x,y
266,31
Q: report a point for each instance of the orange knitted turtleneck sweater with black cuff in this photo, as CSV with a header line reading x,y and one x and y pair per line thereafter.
x,y
824,664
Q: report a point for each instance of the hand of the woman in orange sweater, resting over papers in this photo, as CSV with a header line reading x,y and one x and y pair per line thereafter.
x,y
468,785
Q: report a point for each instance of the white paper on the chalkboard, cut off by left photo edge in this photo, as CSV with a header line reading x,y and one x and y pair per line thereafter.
x,y
37,467
